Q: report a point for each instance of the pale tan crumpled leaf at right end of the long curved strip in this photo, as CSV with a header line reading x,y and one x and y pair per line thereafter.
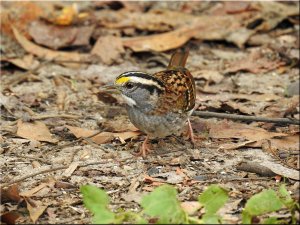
x,y
108,48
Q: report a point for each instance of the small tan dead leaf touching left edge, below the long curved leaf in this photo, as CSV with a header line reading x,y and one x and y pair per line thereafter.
x,y
27,62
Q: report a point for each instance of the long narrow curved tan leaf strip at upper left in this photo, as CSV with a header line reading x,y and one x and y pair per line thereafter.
x,y
49,54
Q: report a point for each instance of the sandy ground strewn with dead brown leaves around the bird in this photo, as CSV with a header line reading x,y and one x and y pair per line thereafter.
x,y
49,108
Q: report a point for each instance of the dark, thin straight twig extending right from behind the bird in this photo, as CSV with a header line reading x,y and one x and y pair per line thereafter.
x,y
245,118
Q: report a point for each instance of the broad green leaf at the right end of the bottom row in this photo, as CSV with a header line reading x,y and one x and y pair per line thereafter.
x,y
263,202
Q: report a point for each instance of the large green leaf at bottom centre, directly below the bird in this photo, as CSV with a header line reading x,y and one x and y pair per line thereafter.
x,y
163,204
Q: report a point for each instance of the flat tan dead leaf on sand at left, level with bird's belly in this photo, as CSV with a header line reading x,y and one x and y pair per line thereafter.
x,y
36,130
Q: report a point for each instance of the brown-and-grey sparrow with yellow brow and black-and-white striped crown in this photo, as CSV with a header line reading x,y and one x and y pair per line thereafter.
x,y
159,104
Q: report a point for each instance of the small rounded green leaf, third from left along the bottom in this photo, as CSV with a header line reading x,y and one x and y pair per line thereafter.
x,y
213,198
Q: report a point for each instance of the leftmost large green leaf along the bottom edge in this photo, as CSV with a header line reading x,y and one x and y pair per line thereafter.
x,y
96,200
